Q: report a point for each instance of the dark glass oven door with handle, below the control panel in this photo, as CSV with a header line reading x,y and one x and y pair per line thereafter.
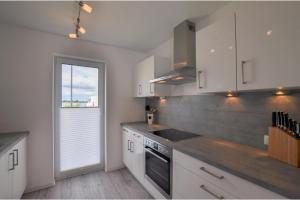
x,y
158,170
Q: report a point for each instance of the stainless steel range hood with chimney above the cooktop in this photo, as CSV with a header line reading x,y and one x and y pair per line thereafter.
x,y
184,68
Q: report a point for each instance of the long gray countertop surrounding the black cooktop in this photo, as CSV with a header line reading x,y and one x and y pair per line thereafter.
x,y
243,161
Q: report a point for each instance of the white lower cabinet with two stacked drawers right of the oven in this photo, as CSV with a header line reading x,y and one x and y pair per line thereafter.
x,y
194,178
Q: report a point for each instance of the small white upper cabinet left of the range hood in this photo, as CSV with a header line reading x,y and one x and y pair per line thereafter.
x,y
147,70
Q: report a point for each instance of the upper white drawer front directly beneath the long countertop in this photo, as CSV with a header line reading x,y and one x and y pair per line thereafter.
x,y
228,182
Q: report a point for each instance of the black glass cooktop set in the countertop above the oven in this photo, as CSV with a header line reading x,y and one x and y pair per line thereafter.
x,y
174,135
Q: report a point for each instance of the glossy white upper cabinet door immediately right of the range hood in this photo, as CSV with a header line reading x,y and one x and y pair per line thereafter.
x,y
216,56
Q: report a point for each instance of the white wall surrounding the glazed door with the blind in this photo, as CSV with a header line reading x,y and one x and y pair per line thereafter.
x,y
26,90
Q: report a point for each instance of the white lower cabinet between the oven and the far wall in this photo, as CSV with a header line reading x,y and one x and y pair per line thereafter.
x,y
133,153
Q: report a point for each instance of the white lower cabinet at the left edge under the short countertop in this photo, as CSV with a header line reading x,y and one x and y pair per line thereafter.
x,y
13,172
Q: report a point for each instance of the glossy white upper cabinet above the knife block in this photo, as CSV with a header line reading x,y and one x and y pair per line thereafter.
x,y
268,45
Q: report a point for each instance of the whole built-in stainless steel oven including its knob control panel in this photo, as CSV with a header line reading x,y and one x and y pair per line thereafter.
x,y
158,166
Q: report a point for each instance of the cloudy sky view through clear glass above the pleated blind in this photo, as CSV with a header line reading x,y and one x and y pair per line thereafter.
x,y
79,86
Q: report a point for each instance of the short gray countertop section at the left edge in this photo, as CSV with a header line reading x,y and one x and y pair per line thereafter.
x,y
8,140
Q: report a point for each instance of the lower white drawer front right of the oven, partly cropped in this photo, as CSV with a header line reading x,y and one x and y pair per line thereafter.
x,y
187,185
